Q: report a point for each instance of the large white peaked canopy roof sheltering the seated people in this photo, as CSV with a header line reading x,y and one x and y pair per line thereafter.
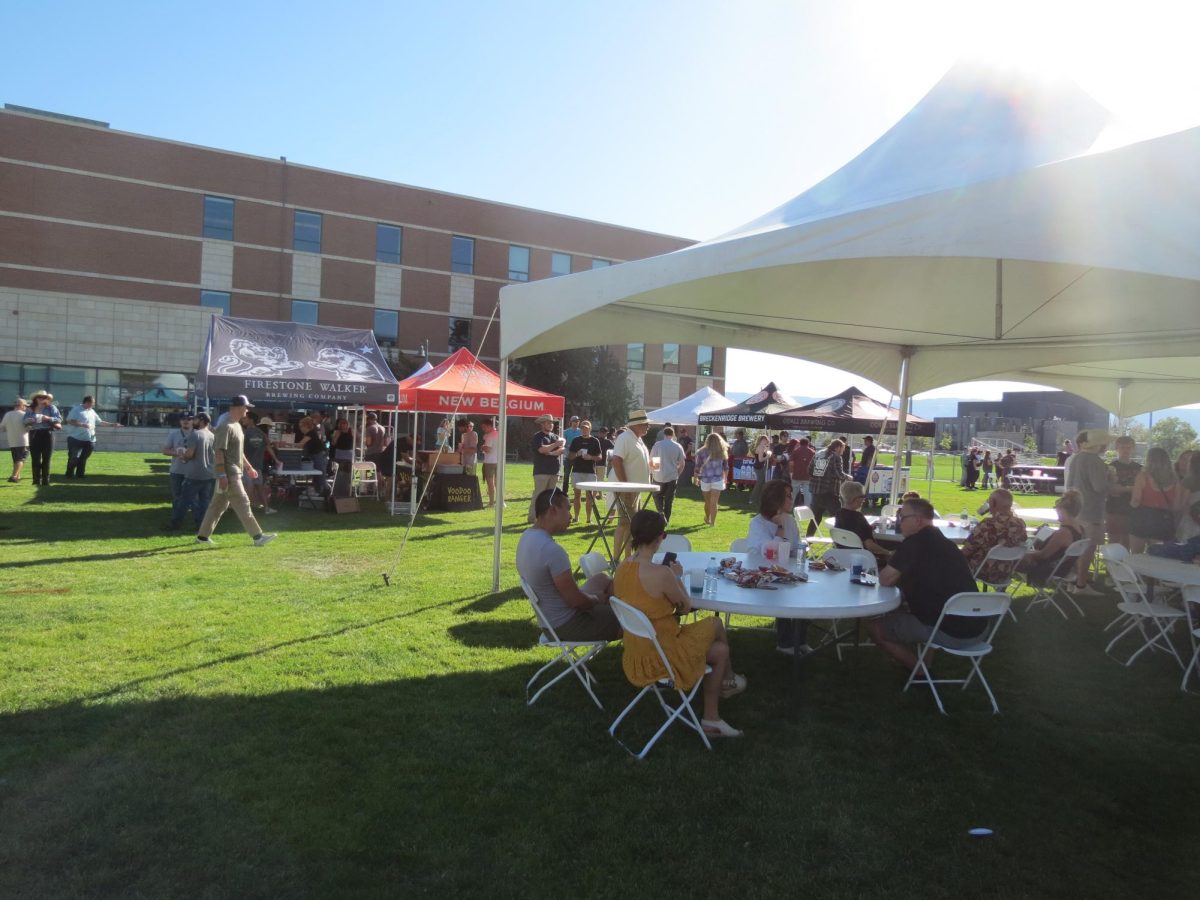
x,y
986,233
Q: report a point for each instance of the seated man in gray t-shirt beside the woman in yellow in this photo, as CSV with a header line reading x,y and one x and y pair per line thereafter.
x,y
575,614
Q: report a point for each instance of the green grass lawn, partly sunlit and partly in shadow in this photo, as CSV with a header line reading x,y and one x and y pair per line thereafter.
x,y
241,722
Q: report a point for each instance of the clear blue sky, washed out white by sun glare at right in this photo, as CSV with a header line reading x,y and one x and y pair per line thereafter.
x,y
683,118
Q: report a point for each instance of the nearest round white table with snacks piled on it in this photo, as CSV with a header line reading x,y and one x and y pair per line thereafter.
x,y
826,596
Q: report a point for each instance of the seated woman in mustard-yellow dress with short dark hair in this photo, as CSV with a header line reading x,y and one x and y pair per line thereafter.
x,y
656,590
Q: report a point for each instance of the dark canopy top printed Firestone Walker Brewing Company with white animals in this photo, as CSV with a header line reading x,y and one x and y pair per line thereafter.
x,y
289,362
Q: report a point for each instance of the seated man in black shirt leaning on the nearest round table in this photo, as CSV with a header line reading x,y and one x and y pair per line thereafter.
x,y
929,571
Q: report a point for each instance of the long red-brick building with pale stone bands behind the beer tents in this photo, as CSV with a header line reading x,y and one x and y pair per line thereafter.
x,y
116,249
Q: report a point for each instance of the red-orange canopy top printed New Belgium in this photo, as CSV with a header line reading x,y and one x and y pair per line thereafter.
x,y
461,375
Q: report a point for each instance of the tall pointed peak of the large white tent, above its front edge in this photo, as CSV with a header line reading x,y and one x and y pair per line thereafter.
x,y
981,122
